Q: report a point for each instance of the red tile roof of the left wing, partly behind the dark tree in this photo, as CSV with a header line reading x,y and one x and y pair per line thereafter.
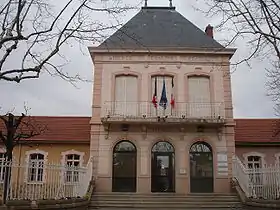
x,y
60,129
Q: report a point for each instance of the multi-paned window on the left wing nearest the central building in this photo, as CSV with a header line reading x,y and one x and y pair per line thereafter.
x,y
73,163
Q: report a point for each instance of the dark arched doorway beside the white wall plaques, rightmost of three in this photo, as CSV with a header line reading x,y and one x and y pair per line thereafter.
x,y
201,168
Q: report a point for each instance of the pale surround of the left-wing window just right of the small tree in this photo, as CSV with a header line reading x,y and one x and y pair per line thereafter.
x,y
27,160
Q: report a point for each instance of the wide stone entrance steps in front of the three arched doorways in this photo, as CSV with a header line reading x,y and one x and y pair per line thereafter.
x,y
164,201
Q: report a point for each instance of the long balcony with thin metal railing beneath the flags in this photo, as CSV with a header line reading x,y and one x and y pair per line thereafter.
x,y
145,112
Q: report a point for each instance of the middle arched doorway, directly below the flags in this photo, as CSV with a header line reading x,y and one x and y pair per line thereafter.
x,y
162,167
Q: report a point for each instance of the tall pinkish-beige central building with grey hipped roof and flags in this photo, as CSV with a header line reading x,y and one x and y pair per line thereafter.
x,y
162,115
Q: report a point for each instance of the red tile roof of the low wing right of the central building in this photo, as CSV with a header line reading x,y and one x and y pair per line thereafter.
x,y
257,130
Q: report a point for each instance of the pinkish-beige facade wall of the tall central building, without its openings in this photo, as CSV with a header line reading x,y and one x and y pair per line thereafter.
x,y
180,65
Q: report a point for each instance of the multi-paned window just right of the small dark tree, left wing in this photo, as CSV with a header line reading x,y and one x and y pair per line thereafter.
x,y
36,167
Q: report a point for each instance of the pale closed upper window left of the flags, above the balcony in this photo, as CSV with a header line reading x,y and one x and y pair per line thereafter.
x,y
126,95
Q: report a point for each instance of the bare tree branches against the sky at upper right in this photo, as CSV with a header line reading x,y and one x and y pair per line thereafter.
x,y
258,23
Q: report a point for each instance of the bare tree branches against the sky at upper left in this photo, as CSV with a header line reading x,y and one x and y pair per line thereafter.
x,y
32,33
